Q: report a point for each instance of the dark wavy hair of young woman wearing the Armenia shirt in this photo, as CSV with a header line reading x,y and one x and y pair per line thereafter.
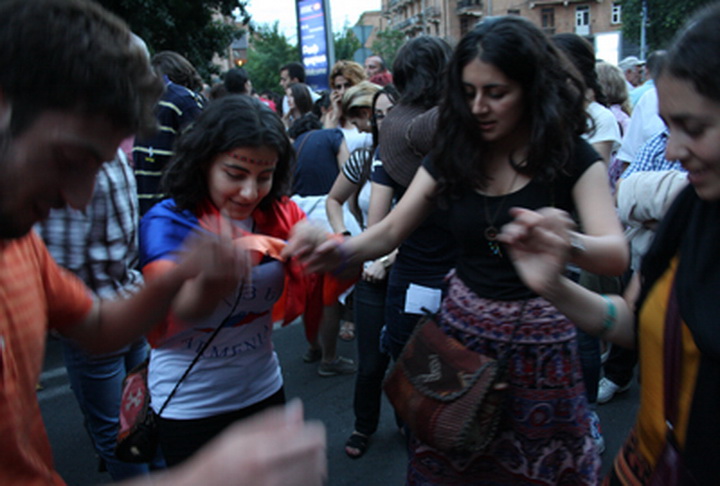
x,y
226,123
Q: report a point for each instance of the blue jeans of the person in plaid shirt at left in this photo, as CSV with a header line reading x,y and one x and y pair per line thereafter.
x,y
97,384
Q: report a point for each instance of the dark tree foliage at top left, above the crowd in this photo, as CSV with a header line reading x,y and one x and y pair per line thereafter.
x,y
186,27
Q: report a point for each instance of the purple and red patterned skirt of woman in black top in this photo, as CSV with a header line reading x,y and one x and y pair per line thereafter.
x,y
544,436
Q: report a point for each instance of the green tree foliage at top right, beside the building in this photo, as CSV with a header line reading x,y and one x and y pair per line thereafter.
x,y
665,18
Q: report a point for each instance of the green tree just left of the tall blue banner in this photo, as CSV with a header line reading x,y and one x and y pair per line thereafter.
x,y
269,50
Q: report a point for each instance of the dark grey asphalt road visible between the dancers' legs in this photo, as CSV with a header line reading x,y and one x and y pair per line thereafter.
x,y
326,399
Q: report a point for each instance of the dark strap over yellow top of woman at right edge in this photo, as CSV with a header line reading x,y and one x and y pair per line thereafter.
x,y
672,353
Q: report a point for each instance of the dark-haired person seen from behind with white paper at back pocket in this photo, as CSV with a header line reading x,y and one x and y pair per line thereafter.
x,y
429,252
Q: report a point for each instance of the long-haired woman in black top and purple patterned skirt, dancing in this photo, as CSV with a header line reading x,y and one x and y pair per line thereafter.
x,y
512,120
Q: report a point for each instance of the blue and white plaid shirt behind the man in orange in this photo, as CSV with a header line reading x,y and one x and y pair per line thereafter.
x,y
100,244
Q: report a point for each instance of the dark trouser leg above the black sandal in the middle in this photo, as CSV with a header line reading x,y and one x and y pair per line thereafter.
x,y
369,304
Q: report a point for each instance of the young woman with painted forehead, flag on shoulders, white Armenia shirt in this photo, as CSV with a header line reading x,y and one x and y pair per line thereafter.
x,y
228,178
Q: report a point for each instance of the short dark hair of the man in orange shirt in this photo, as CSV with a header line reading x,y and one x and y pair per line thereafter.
x,y
73,55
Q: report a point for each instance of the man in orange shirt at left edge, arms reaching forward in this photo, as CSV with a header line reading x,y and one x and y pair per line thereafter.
x,y
73,85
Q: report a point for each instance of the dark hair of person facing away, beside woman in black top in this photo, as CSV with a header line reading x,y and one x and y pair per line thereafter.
x,y
418,71
